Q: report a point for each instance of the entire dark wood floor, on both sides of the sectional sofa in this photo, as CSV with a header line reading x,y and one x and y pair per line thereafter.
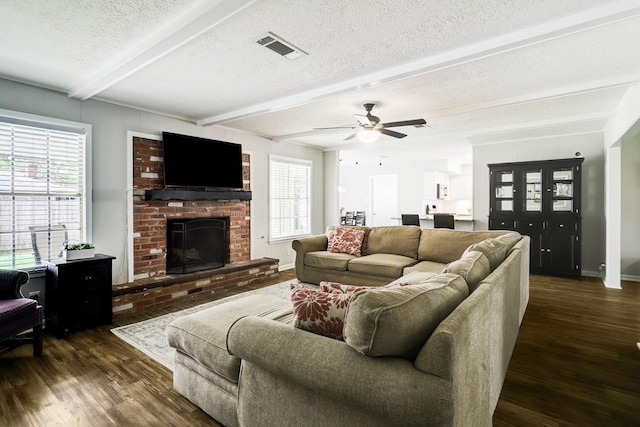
x,y
575,364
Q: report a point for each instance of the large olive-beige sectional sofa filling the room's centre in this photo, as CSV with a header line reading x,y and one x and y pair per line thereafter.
x,y
430,348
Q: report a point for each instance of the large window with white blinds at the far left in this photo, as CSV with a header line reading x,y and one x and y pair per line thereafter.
x,y
42,188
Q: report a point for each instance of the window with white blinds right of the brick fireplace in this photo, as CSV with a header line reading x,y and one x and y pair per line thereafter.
x,y
289,197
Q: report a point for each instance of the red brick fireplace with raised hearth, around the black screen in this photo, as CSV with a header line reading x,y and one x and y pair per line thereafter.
x,y
152,286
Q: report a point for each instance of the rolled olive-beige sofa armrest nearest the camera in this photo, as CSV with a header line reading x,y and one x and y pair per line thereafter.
x,y
388,386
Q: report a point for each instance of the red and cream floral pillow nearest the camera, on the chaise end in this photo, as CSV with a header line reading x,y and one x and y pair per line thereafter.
x,y
319,312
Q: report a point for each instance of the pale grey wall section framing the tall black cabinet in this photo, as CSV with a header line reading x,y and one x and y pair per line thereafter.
x,y
591,148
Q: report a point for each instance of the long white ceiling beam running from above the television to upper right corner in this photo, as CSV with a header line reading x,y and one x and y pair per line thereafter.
x,y
562,27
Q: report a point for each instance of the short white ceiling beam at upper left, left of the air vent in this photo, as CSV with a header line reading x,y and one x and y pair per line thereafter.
x,y
202,18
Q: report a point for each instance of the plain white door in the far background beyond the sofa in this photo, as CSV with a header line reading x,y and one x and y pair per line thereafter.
x,y
383,190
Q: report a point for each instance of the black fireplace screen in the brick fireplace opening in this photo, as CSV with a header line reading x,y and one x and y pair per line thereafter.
x,y
196,244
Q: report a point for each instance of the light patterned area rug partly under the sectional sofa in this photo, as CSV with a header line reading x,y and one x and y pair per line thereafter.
x,y
149,336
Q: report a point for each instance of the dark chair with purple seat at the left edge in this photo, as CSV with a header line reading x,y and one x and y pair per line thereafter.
x,y
18,314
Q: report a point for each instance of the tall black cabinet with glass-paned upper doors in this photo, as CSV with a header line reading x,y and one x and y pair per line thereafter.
x,y
542,200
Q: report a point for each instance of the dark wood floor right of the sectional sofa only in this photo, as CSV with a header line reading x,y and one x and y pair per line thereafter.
x,y
576,361
